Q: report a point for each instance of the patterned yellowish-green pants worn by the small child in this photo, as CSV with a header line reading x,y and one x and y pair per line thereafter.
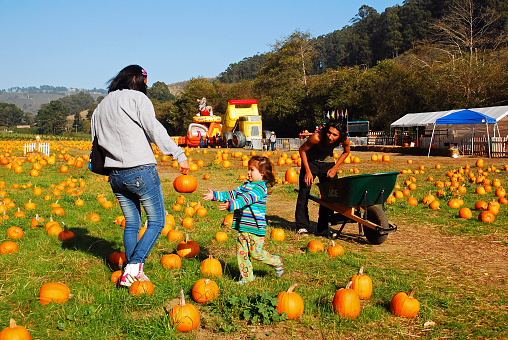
x,y
251,246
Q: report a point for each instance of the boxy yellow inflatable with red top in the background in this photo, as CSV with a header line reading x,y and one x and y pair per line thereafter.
x,y
243,125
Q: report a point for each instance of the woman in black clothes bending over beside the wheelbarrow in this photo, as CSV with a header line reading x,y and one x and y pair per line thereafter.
x,y
317,160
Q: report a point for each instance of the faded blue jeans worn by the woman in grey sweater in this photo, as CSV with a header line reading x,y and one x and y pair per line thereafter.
x,y
134,187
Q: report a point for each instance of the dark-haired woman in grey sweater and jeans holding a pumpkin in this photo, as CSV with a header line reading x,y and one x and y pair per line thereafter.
x,y
125,124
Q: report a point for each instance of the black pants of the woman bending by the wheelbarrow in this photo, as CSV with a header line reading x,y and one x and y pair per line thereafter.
x,y
318,169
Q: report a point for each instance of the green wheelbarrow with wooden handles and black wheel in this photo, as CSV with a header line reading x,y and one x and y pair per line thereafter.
x,y
349,196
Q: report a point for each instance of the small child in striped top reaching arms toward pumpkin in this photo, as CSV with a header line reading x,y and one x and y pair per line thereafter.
x,y
248,202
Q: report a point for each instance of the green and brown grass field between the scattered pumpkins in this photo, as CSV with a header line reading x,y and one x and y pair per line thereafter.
x,y
456,302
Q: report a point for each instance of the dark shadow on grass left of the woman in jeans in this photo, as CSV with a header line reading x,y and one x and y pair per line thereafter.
x,y
83,242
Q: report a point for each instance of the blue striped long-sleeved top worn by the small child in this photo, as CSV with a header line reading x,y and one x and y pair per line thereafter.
x,y
248,202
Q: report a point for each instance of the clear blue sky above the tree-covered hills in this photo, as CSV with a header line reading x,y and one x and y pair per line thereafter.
x,y
85,43
